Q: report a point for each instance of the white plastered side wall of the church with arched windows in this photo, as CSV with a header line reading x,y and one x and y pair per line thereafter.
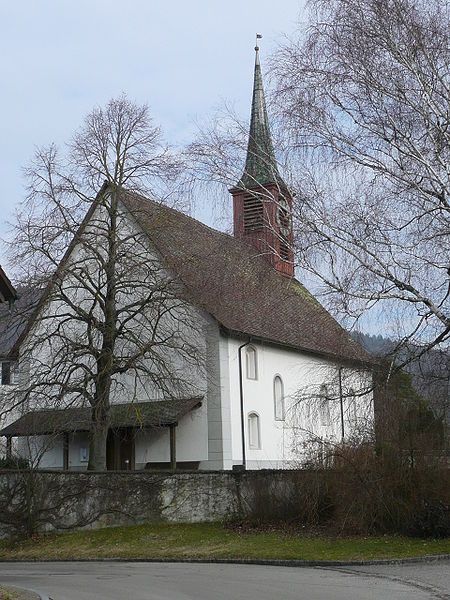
x,y
285,443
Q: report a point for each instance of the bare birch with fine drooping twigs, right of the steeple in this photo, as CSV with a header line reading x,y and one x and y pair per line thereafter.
x,y
364,98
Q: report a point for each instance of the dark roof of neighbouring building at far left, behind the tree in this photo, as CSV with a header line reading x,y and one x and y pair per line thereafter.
x,y
14,320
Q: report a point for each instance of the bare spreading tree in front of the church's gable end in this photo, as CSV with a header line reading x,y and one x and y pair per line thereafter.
x,y
111,323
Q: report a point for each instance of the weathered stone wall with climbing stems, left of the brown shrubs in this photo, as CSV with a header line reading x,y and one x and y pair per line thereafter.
x,y
52,500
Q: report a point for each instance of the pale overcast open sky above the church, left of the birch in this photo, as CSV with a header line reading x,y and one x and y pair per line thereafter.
x,y
59,58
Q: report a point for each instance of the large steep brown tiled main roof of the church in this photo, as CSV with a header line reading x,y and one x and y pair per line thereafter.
x,y
226,278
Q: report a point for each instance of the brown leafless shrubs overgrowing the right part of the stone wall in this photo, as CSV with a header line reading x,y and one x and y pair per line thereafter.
x,y
362,494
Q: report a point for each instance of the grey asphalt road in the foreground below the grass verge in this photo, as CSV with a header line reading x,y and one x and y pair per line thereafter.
x,y
178,581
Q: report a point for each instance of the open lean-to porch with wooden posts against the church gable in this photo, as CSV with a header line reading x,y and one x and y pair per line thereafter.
x,y
133,429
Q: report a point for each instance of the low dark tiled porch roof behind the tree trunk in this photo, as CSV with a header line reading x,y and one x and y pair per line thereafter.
x,y
144,414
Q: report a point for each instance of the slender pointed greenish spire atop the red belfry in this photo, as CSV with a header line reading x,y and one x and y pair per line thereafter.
x,y
260,165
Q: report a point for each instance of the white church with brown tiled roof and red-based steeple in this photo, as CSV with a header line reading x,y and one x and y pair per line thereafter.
x,y
281,380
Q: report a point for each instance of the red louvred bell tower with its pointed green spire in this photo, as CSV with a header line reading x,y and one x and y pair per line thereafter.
x,y
262,204
